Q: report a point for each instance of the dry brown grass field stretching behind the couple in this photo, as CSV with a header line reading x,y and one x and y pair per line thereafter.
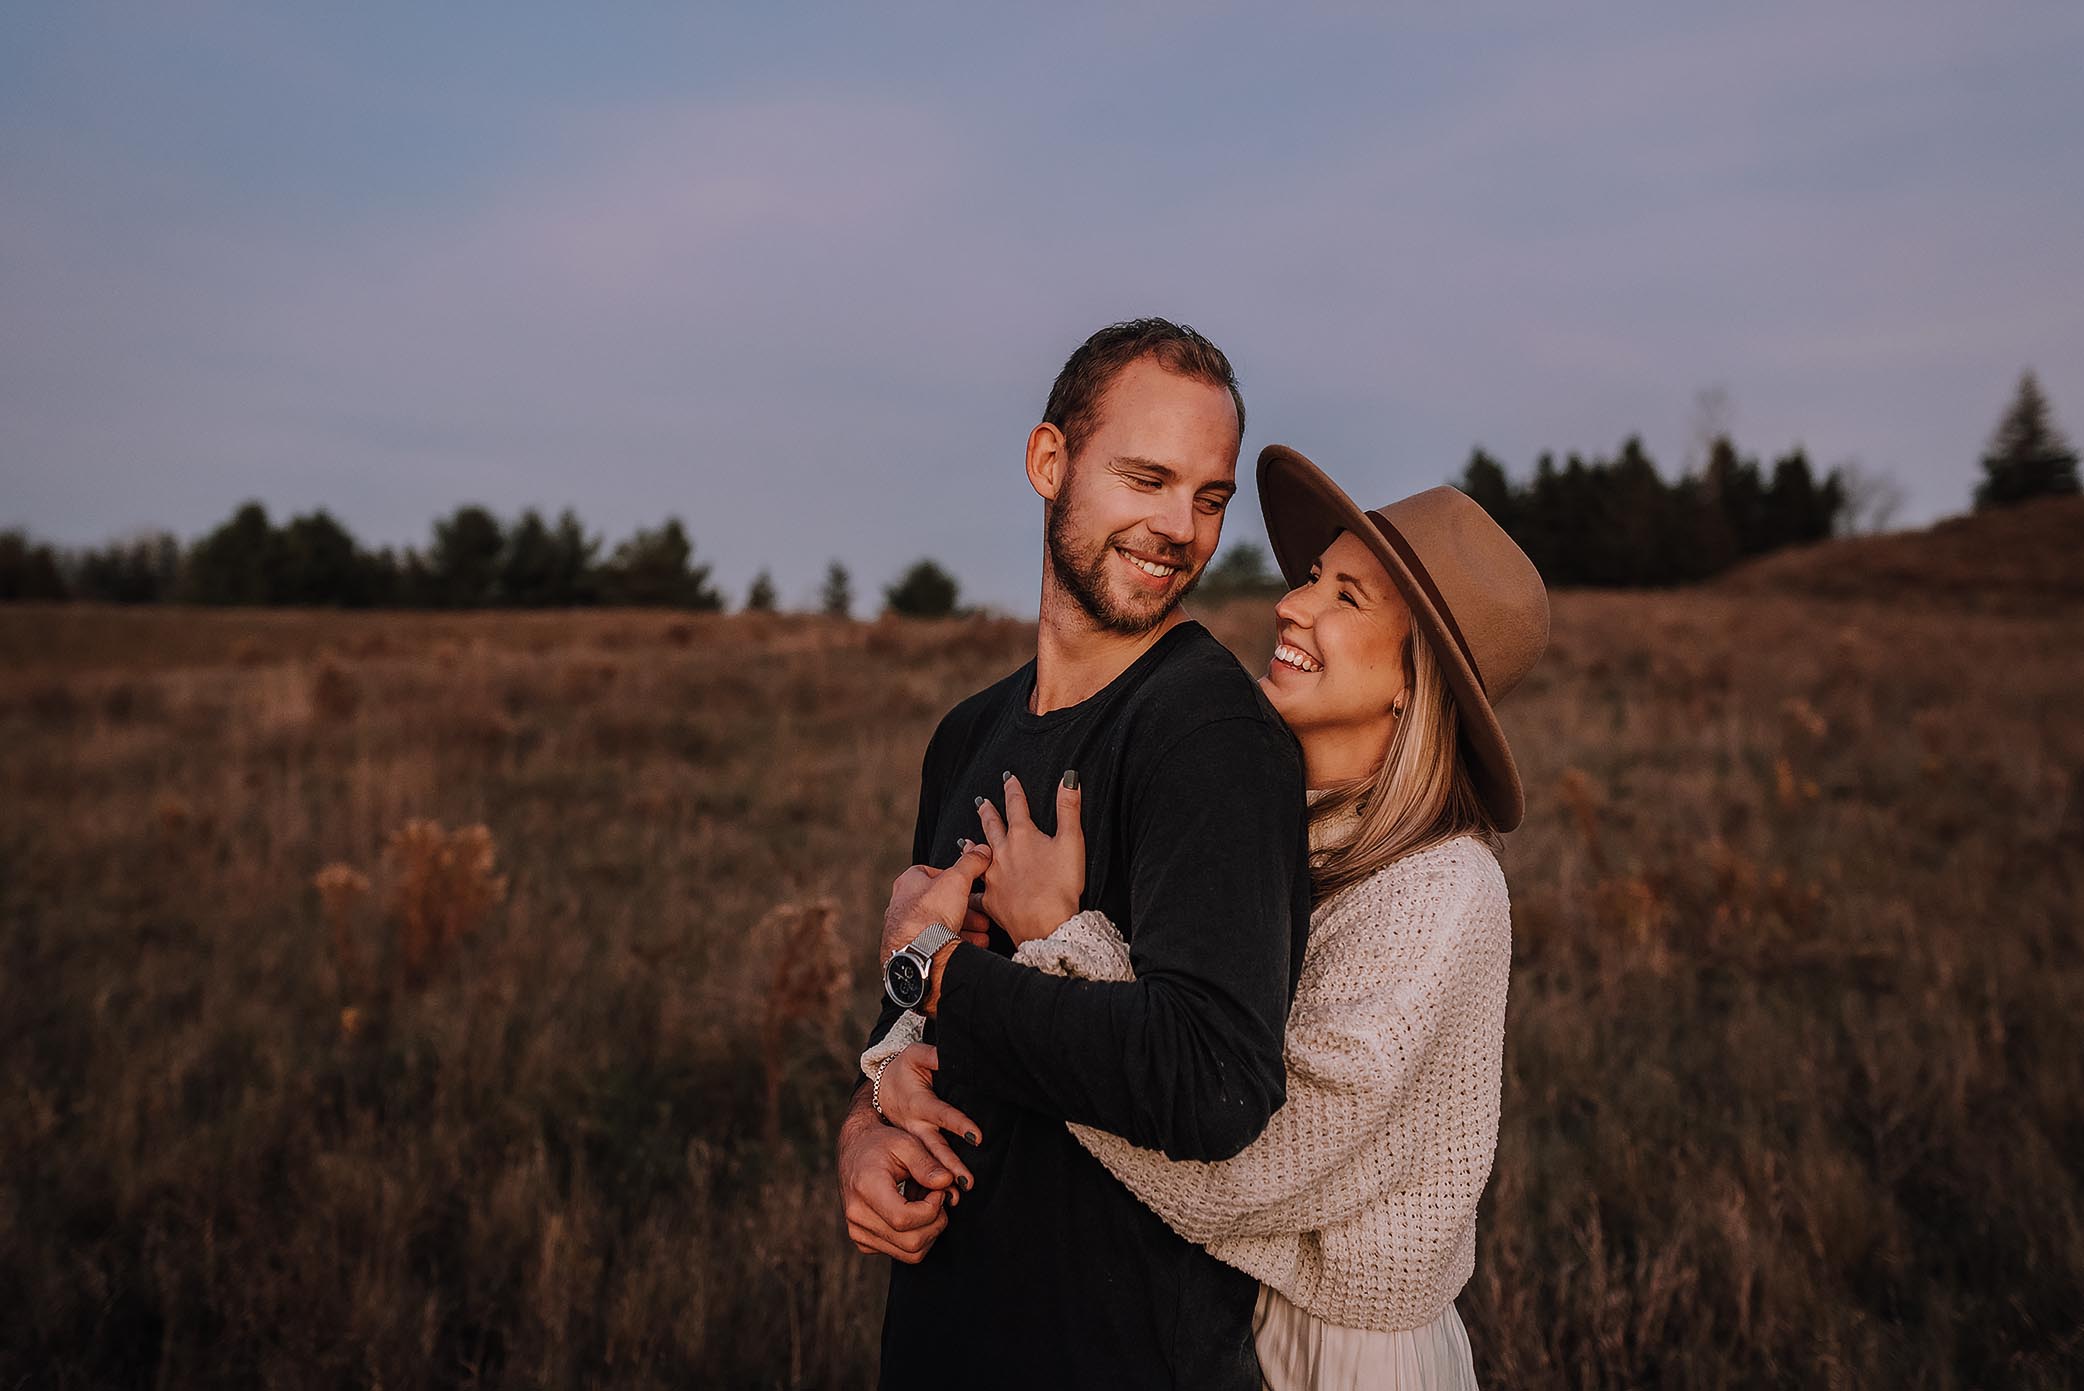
x,y
447,1002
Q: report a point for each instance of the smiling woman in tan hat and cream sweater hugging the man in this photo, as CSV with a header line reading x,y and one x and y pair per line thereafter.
x,y
1358,1204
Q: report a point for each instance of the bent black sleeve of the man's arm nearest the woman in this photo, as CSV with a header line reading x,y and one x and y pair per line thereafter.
x,y
1185,1058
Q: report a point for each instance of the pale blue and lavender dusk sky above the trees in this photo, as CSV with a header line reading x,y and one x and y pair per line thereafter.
x,y
803,274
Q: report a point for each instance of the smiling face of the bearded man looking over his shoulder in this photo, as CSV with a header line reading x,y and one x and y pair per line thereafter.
x,y
1143,504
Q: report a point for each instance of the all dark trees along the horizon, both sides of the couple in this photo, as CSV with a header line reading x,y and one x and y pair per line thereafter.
x,y
1614,522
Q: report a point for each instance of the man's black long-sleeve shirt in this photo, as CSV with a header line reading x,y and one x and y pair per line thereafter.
x,y
1051,1273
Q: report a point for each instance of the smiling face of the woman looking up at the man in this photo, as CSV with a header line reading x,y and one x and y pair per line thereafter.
x,y
1339,666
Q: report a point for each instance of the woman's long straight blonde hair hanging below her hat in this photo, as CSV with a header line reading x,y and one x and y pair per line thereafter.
x,y
1422,794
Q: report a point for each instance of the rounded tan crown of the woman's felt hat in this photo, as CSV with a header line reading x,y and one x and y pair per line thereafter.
x,y
1479,579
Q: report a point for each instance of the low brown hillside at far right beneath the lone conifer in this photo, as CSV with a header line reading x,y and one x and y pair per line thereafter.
x,y
2012,560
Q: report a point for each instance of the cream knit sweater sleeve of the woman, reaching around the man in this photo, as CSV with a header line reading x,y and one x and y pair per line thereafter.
x,y
1356,1042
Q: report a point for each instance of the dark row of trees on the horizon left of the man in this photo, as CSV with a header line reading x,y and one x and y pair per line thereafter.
x,y
474,560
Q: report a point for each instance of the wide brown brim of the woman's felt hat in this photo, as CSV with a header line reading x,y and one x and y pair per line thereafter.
x,y
1306,512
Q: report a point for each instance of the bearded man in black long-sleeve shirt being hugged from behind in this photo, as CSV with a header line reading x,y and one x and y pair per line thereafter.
x,y
1047,1271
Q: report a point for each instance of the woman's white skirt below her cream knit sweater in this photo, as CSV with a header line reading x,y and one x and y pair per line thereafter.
x,y
1301,1352
